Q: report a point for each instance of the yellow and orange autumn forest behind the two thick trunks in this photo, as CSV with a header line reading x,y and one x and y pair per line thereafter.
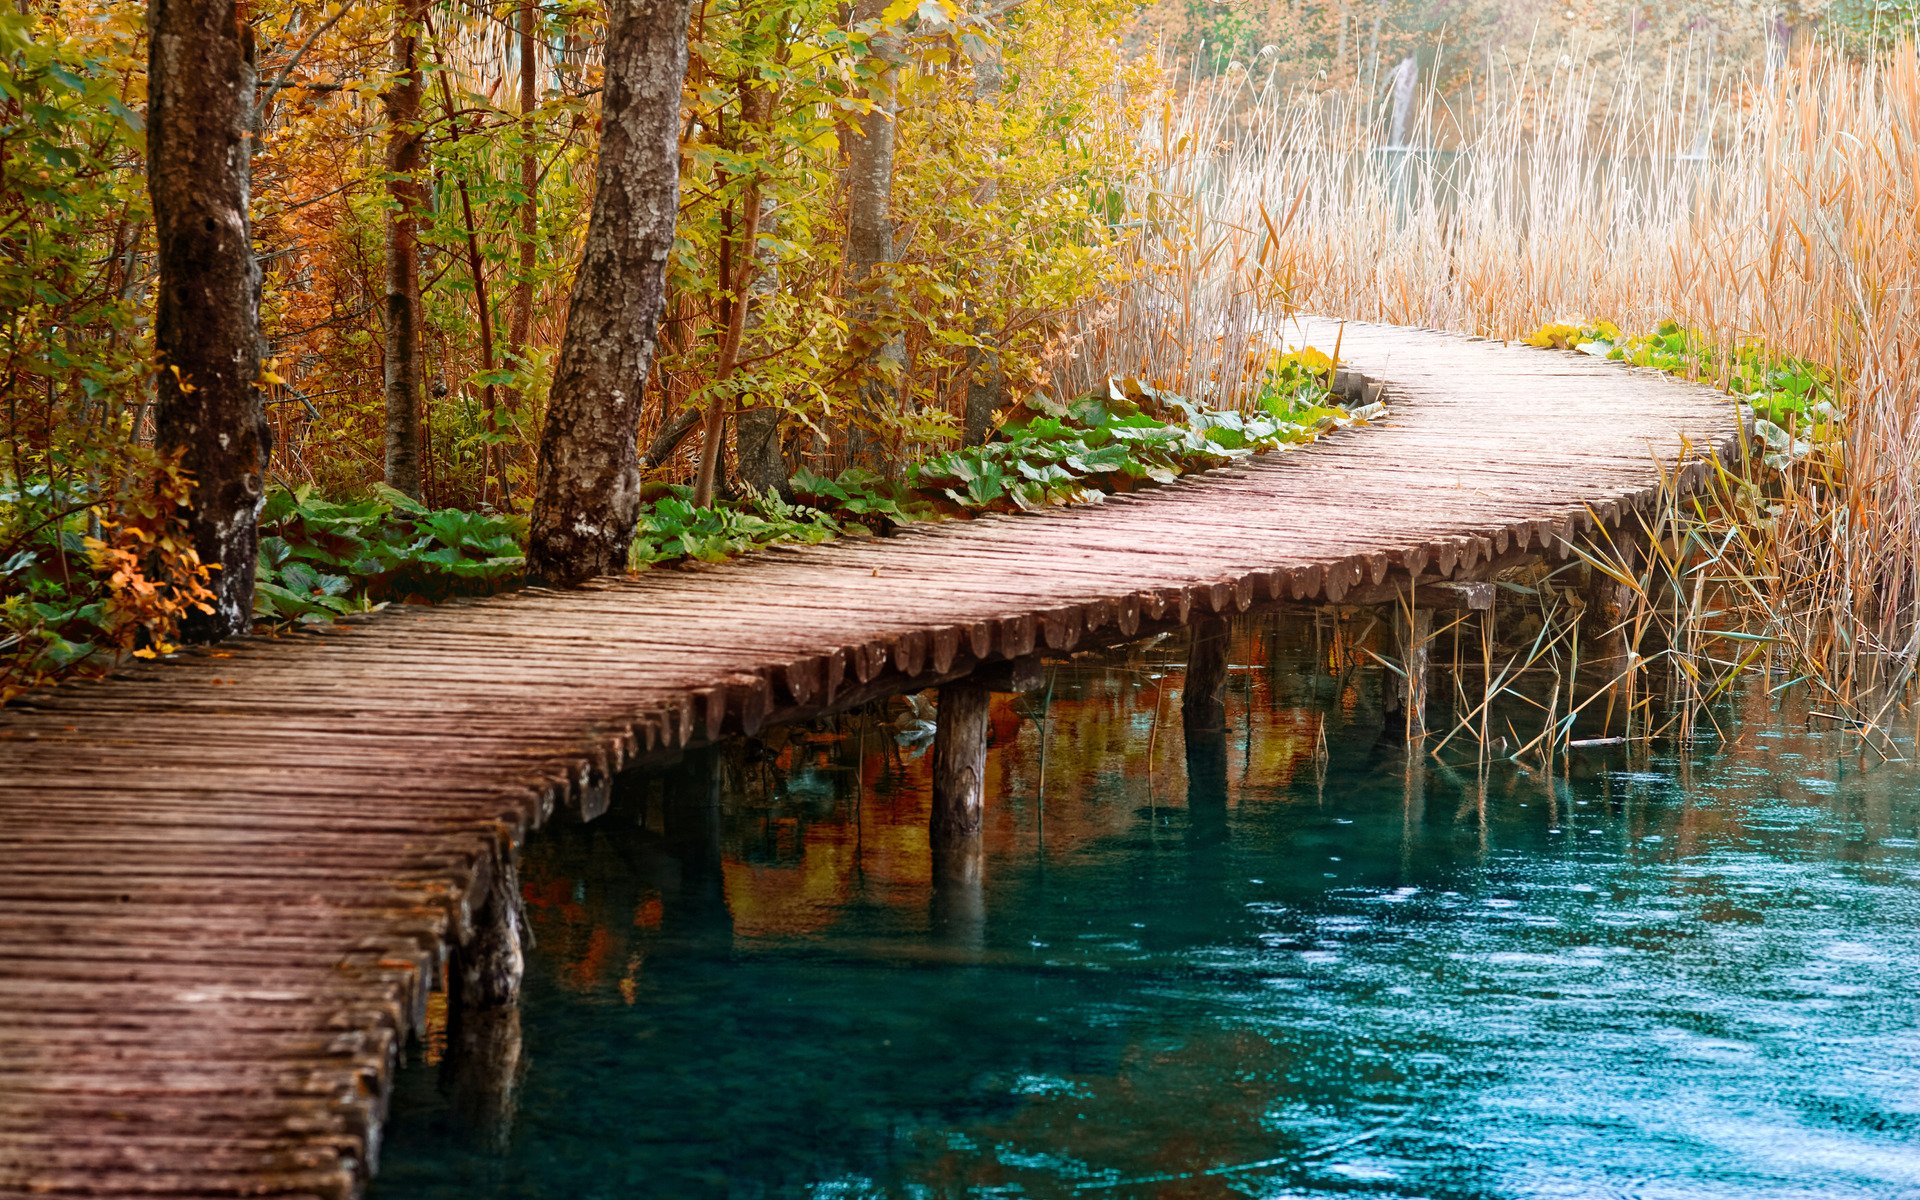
x,y
898,224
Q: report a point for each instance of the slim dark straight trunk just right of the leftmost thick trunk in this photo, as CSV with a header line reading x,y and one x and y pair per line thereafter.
x,y
406,199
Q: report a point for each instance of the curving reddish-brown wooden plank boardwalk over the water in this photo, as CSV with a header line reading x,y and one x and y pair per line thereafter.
x,y
229,880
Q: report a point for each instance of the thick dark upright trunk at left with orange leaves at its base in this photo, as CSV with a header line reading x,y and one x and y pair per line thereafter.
x,y
206,320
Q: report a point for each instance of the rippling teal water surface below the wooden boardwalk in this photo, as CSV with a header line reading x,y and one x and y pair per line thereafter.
x,y
1312,972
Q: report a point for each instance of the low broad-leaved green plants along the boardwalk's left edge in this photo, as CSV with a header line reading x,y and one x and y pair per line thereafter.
x,y
80,594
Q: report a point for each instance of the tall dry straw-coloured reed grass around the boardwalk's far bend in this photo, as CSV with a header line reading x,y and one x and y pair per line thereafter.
x,y
1783,212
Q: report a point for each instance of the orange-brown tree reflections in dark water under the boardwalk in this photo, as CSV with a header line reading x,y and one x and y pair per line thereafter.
x,y
784,836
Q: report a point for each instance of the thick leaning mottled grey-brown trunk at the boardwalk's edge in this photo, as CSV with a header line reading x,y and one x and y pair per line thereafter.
x,y
588,492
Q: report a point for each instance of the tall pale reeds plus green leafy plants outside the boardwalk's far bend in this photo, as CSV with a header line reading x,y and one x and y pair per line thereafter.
x,y
1758,233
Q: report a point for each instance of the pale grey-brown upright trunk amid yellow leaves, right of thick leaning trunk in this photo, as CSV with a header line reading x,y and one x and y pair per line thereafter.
x,y
871,233
